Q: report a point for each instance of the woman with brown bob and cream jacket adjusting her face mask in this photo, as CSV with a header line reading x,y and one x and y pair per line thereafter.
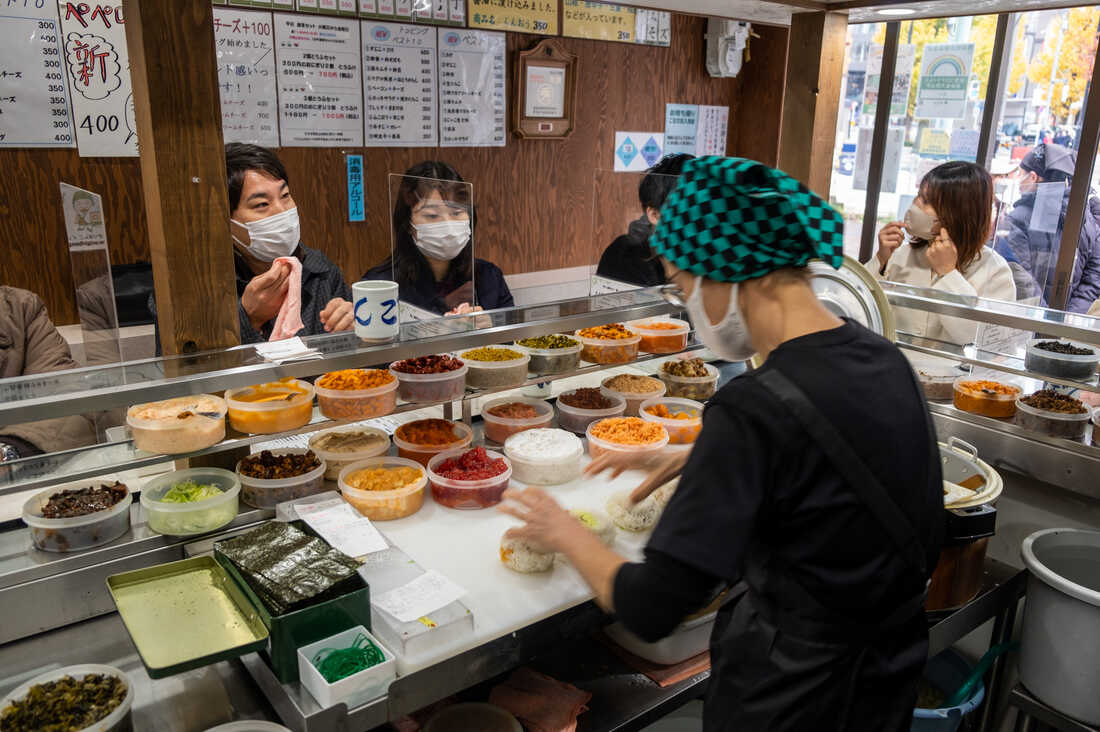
x,y
942,245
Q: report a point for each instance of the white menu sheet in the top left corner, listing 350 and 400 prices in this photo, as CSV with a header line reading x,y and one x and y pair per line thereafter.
x,y
35,102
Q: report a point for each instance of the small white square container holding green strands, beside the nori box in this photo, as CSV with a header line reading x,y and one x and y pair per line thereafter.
x,y
354,691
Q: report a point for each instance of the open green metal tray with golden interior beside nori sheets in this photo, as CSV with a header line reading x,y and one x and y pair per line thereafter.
x,y
186,615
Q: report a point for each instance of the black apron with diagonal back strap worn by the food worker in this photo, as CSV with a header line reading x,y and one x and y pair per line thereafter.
x,y
783,662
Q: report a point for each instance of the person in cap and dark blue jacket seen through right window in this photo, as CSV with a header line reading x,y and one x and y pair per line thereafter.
x,y
1031,246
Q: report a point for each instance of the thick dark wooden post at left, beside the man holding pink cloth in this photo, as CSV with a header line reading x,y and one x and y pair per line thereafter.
x,y
173,67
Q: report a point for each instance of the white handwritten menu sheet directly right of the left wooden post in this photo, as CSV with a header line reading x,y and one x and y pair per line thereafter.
x,y
246,48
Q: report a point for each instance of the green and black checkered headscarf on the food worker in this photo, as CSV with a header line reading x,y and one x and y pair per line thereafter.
x,y
733,220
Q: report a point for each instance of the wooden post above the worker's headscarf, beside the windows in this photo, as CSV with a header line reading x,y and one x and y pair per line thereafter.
x,y
812,97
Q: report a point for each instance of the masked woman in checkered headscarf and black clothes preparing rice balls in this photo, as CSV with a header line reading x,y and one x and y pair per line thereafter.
x,y
815,486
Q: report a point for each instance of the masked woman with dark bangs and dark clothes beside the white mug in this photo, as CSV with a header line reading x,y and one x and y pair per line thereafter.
x,y
433,260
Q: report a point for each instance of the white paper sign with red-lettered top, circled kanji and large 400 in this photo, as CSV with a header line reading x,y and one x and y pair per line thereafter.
x,y
97,64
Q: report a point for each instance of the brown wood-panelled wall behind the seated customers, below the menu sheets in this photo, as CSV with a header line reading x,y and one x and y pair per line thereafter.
x,y
535,199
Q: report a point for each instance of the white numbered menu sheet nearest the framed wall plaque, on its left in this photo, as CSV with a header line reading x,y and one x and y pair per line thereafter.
x,y
472,100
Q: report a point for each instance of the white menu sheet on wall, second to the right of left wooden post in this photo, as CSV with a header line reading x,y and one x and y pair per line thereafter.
x,y
321,92
